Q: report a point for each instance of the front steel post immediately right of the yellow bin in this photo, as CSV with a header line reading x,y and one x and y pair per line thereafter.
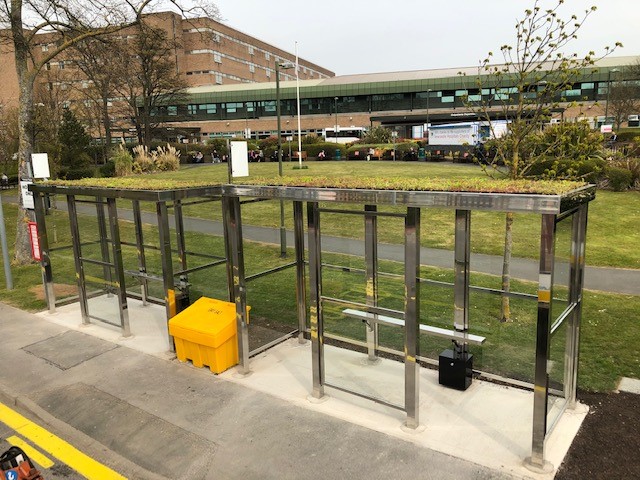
x,y
239,287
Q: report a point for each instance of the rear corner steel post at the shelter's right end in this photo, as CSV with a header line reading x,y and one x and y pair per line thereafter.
x,y
578,240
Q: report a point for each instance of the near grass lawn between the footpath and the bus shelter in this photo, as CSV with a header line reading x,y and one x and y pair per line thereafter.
x,y
609,325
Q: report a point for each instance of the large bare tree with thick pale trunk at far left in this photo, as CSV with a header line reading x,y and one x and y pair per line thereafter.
x,y
66,24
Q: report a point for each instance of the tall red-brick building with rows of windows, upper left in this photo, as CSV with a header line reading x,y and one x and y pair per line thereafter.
x,y
206,52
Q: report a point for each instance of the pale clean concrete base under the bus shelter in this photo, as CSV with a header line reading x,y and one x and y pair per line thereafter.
x,y
487,424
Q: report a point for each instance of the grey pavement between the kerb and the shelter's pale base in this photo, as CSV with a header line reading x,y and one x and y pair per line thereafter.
x,y
165,419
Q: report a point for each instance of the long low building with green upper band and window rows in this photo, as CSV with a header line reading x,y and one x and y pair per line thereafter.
x,y
404,101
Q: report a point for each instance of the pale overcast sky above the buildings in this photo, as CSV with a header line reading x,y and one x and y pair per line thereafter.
x,y
369,36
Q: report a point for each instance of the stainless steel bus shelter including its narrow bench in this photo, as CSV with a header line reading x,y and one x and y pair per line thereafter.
x,y
557,319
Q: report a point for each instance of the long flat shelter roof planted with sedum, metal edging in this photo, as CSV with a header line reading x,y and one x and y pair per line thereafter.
x,y
518,196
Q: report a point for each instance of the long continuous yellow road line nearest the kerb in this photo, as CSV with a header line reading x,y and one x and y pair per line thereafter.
x,y
66,453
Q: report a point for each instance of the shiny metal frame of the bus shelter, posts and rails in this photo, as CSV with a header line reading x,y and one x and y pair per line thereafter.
x,y
551,208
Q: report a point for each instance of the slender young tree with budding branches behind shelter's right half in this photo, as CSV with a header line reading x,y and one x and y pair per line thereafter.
x,y
523,90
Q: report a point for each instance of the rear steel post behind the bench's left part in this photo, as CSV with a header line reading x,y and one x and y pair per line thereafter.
x,y
371,272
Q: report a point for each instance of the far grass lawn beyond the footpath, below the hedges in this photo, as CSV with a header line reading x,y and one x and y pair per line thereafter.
x,y
613,231
